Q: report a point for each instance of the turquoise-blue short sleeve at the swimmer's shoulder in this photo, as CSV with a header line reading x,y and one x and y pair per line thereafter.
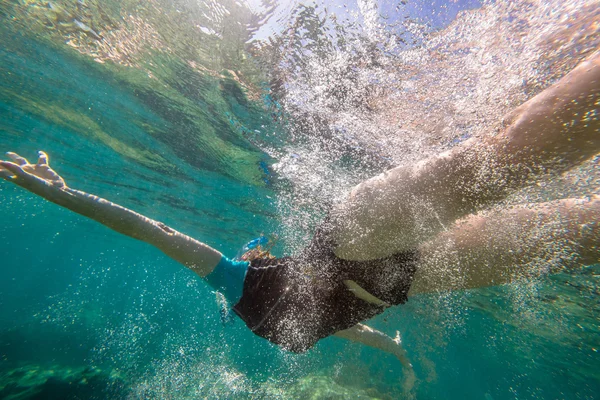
x,y
228,278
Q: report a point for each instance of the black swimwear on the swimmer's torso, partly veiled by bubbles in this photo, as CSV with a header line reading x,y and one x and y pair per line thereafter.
x,y
294,302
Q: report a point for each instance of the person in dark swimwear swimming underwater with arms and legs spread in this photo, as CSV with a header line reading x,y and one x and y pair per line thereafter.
x,y
387,240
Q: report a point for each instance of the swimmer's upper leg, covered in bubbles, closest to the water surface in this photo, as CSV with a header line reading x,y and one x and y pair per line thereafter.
x,y
406,206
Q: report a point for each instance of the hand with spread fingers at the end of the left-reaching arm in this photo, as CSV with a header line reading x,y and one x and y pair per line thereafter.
x,y
29,175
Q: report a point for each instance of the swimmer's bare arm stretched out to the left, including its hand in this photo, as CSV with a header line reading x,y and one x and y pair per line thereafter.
x,y
42,180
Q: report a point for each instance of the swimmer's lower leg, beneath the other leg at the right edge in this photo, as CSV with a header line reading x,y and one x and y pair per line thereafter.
x,y
486,250
